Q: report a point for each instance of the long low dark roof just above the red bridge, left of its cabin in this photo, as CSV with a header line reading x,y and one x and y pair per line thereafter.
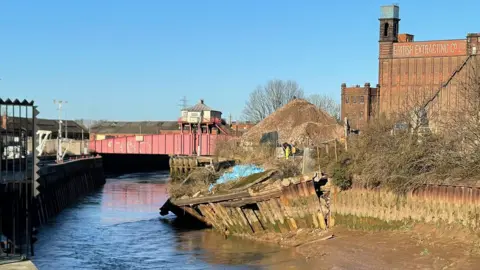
x,y
141,127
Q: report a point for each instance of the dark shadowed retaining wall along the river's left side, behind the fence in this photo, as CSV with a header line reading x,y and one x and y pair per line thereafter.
x,y
60,185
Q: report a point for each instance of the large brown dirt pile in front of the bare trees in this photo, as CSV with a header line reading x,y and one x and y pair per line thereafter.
x,y
299,122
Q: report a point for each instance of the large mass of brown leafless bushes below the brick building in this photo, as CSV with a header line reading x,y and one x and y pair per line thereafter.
x,y
407,159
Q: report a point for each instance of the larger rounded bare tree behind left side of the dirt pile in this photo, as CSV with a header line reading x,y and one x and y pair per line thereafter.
x,y
266,99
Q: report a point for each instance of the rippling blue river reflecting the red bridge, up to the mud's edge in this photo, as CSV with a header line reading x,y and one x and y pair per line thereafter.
x,y
119,227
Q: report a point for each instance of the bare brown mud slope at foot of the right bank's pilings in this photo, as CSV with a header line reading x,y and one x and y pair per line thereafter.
x,y
419,247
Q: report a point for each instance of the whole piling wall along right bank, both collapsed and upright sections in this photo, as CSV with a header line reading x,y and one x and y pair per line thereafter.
x,y
296,205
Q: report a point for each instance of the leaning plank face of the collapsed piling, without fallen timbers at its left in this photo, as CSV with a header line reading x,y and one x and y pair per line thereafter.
x,y
296,206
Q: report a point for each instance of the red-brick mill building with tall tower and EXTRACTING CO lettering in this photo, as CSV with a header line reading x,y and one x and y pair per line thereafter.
x,y
424,74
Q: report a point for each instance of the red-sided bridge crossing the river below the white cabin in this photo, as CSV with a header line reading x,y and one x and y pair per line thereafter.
x,y
158,144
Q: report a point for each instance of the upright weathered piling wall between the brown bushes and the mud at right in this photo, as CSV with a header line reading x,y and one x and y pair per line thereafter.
x,y
367,209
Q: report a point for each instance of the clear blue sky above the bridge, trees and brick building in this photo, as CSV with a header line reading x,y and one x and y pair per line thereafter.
x,y
135,60
